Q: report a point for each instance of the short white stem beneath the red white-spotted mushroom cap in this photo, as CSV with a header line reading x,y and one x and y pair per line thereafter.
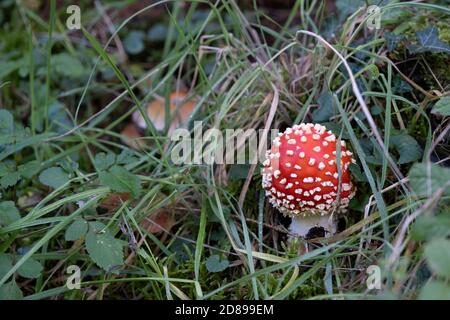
x,y
313,226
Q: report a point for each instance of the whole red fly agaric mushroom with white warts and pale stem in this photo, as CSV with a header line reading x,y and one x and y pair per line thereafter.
x,y
302,180
